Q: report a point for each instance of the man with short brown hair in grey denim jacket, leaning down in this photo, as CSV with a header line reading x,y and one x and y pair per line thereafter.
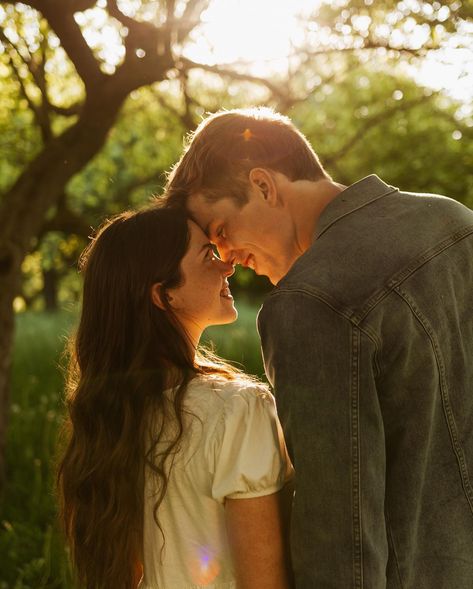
x,y
368,342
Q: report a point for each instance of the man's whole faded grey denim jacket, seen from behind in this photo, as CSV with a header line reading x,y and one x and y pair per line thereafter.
x,y
368,343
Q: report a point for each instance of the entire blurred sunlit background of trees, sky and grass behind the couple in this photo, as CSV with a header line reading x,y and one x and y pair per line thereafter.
x,y
95,100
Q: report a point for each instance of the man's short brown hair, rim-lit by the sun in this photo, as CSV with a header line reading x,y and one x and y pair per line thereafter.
x,y
224,148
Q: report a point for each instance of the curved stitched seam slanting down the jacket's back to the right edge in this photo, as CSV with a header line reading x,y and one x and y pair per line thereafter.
x,y
450,418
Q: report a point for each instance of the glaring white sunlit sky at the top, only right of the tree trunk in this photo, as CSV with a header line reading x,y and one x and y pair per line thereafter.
x,y
261,34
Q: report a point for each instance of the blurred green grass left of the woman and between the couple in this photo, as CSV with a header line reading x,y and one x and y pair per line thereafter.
x,y
32,554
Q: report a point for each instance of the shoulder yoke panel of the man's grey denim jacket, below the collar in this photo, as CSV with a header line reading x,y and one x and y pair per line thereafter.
x,y
366,244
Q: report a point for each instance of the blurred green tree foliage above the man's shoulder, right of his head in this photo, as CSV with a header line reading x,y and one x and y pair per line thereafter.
x,y
374,122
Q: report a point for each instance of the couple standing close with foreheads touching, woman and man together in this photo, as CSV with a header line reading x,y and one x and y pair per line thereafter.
x,y
176,473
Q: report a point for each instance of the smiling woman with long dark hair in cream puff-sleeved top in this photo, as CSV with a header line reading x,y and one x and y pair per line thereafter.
x,y
174,462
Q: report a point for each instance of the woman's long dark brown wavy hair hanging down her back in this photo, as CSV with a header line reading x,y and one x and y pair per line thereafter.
x,y
125,354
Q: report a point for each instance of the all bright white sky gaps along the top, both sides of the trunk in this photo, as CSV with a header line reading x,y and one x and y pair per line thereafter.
x,y
259,36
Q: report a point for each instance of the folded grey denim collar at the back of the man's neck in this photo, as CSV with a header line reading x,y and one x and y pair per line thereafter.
x,y
354,197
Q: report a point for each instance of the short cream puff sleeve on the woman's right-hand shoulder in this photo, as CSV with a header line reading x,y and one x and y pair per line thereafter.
x,y
250,458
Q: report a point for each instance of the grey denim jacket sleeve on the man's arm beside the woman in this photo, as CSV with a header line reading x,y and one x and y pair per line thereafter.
x,y
322,368
